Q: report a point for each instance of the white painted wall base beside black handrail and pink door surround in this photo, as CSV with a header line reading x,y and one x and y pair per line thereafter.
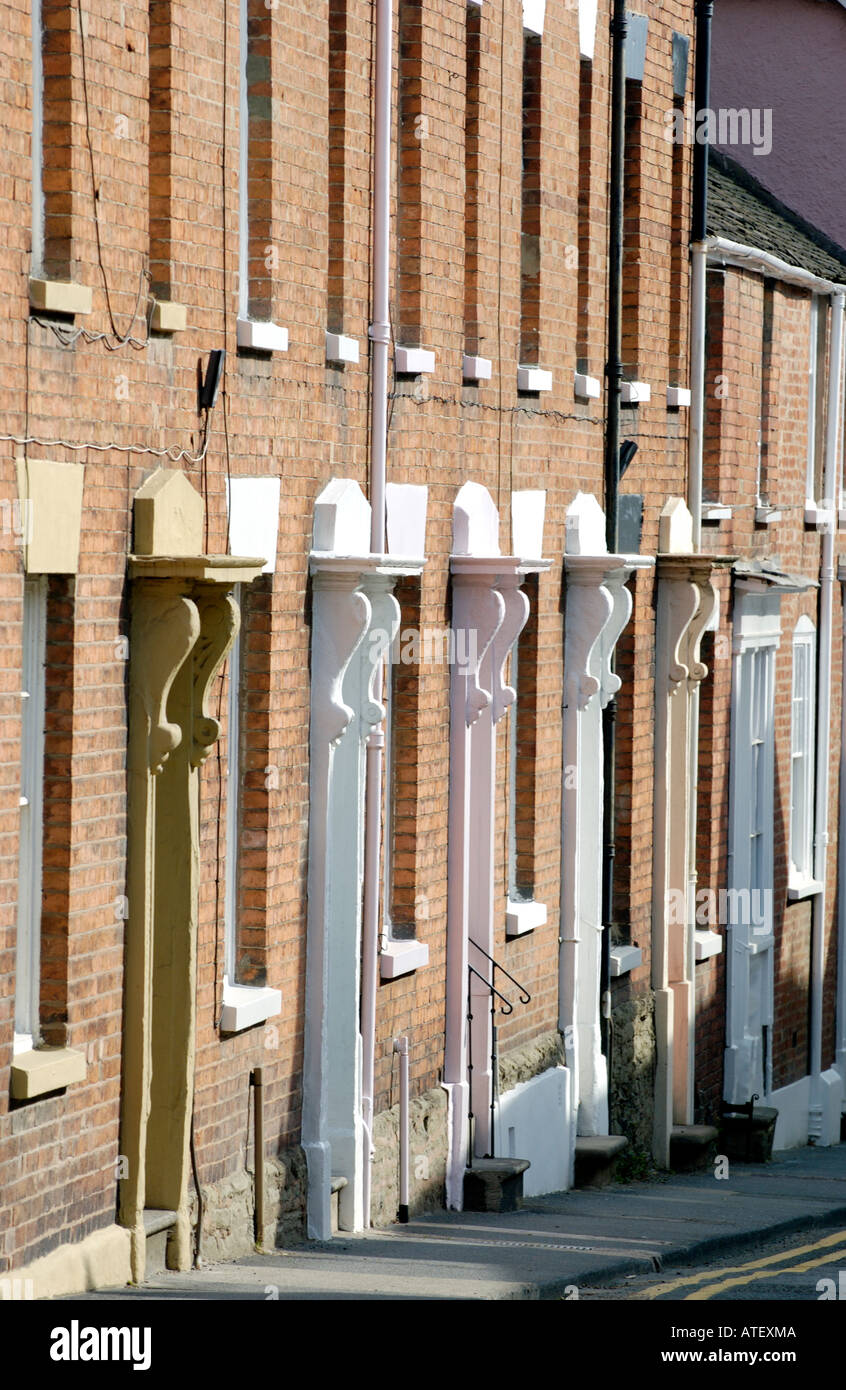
x,y
534,1121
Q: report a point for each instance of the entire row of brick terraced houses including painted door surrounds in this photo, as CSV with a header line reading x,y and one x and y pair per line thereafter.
x,y
417,540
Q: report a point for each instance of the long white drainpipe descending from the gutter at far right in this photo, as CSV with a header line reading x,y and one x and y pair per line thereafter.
x,y
827,583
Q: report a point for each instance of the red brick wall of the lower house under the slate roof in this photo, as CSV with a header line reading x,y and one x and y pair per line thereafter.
x,y
736,323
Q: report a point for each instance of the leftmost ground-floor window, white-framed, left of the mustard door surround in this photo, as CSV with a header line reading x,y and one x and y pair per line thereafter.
x,y
31,822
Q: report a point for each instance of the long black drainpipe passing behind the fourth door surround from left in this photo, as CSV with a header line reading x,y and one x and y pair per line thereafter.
x,y
613,383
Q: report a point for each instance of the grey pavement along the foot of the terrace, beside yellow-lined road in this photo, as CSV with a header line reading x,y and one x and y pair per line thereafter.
x,y
552,1249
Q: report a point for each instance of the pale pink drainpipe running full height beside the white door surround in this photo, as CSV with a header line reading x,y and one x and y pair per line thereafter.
x,y
380,337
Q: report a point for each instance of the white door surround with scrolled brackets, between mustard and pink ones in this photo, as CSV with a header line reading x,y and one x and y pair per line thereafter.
x,y
355,618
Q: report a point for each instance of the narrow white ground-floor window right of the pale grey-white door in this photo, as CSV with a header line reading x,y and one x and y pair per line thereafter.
x,y
802,760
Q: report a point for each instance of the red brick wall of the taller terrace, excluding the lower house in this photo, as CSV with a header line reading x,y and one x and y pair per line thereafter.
x,y
306,422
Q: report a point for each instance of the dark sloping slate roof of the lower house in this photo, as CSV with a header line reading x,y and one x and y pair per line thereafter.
x,y
744,212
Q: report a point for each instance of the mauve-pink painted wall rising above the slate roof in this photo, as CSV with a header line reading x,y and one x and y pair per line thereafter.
x,y
790,56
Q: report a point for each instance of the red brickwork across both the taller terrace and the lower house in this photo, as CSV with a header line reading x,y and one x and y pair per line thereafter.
x,y
499,250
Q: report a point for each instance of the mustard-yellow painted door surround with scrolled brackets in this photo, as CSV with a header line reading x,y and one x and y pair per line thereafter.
x,y
183,625
